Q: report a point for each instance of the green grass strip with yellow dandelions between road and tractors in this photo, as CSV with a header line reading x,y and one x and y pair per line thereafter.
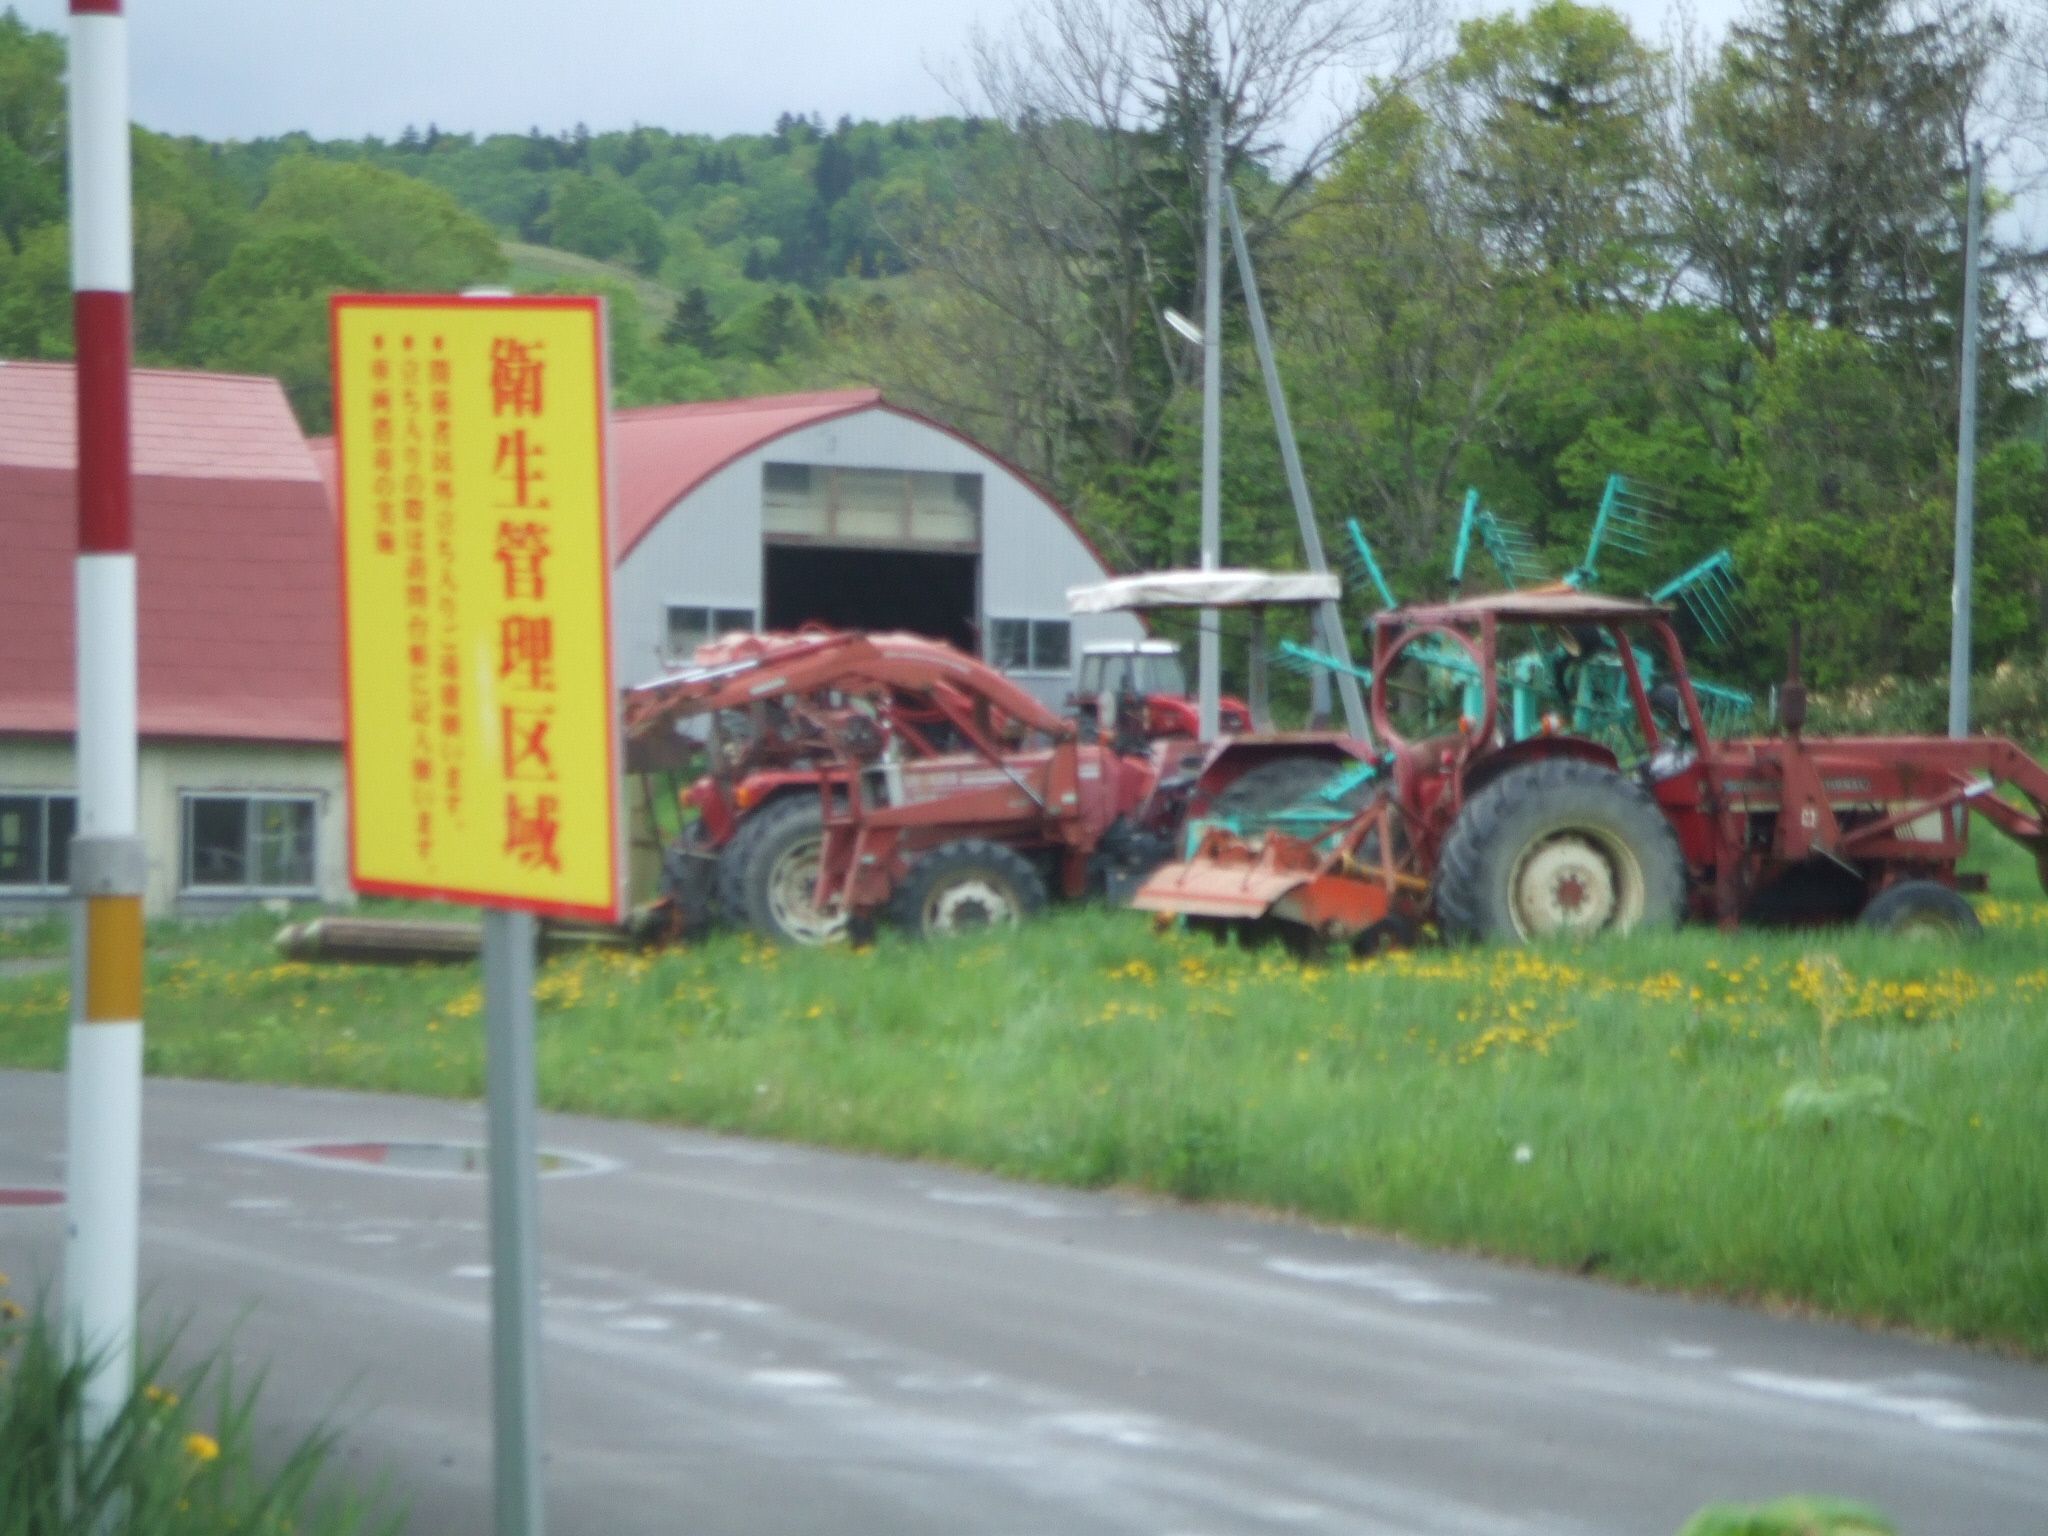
x,y
1832,1121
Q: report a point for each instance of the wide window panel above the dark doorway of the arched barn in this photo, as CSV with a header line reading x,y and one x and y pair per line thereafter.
x,y
871,507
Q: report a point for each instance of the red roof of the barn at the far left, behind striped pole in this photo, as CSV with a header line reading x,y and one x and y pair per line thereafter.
x,y
239,577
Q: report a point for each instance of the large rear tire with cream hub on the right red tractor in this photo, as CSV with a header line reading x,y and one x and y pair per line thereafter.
x,y
1560,849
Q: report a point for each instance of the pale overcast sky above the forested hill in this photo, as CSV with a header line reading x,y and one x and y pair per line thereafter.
x,y
251,69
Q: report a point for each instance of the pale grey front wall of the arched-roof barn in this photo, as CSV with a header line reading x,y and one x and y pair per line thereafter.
x,y
708,550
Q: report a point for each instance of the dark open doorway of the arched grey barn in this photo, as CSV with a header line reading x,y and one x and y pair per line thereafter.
x,y
923,591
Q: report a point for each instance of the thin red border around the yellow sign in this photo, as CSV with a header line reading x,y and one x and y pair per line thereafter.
x,y
595,306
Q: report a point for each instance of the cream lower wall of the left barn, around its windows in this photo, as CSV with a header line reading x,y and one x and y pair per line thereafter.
x,y
177,769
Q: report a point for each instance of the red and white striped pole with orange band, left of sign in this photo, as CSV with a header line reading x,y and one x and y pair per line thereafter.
x,y
103,1172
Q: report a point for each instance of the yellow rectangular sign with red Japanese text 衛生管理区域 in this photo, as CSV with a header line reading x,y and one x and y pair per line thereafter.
x,y
482,718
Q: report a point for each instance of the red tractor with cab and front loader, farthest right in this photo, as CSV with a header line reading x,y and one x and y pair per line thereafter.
x,y
1566,835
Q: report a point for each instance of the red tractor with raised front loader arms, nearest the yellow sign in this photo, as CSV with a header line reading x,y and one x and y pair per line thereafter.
x,y
855,777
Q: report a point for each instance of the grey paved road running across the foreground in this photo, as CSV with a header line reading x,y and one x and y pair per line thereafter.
x,y
753,1338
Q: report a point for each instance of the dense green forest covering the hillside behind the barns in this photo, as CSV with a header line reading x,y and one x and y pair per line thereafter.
x,y
1541,251
